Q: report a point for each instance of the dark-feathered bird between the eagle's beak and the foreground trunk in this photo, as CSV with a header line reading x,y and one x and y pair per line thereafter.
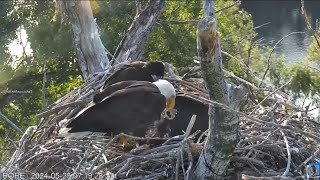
x,y
186,107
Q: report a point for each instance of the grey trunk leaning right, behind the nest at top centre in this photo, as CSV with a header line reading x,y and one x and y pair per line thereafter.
x,y
132,45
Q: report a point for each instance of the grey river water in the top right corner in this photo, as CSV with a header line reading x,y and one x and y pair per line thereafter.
x,y
284,18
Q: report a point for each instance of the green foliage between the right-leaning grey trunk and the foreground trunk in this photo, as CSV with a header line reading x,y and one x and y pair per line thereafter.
x,y
175,43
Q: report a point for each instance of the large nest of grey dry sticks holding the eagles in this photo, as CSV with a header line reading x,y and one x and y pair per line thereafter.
x,y
276,141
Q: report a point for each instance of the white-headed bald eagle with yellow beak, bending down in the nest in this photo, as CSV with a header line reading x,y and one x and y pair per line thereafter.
x,y
129,106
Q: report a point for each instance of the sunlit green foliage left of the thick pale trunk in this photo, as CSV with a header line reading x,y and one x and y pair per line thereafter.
x,y
52,52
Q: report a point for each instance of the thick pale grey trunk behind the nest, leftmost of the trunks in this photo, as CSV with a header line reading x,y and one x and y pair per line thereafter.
x,y
91,53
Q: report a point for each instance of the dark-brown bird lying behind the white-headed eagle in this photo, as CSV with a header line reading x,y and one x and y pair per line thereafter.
x,y
139,71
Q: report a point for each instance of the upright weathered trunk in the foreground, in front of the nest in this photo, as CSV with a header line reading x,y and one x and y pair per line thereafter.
x,y
223,125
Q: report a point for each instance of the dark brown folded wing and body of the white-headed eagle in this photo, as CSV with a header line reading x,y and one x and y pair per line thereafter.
x,y
132,109
